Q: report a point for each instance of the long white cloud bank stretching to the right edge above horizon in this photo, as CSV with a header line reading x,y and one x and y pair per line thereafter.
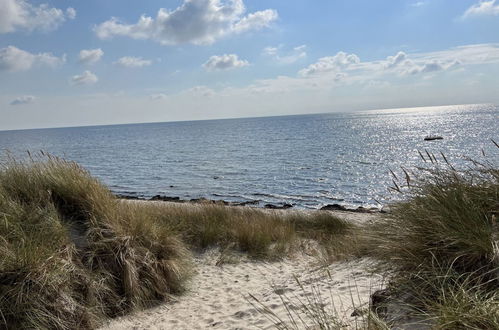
x,y
345,69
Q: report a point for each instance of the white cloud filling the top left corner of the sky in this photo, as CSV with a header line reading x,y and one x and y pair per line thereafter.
x,y
21,15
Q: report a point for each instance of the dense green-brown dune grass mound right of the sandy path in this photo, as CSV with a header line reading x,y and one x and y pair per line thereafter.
x,y
442,246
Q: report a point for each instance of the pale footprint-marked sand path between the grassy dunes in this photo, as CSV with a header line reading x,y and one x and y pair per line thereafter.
x,y
218,296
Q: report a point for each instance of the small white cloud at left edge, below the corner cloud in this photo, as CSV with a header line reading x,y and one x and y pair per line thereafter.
x,y
15,59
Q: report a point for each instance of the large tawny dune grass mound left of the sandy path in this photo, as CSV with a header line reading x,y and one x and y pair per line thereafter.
x,y
70,256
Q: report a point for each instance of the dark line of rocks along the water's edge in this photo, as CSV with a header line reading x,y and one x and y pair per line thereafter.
x,y
254,203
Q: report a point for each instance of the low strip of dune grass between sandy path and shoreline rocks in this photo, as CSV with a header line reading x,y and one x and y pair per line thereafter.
x,y
258,233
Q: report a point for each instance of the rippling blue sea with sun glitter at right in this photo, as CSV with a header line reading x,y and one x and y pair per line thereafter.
x,y
307,160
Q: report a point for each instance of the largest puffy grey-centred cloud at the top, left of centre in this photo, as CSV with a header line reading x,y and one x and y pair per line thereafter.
x,y
197,22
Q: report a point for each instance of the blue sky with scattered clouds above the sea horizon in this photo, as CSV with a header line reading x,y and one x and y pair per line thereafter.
x,y
93,62
